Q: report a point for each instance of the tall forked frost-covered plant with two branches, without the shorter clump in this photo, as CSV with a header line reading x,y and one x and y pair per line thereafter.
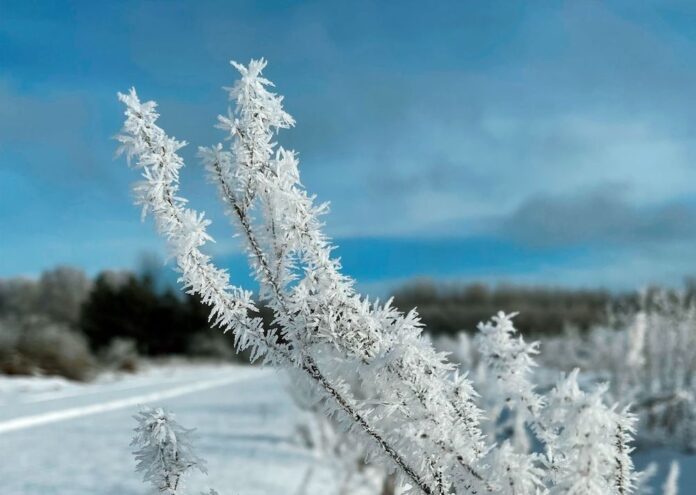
x,y
325,327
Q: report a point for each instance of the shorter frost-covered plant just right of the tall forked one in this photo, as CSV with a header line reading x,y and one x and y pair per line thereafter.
x,y
586,445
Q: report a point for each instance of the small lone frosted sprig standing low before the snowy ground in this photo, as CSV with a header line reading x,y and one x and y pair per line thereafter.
x,y
164,452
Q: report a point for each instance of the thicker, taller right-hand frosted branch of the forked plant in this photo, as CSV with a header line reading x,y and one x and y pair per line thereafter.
x,y
322,306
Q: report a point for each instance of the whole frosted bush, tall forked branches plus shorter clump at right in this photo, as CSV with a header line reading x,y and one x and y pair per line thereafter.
x,y
368,363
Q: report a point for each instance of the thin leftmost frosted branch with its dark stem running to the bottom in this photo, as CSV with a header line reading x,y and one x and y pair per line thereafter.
x,y
185,230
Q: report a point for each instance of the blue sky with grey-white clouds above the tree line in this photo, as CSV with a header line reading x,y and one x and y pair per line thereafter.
x,y
531,142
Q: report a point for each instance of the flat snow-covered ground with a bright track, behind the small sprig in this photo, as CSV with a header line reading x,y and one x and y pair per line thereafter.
x,y
62,438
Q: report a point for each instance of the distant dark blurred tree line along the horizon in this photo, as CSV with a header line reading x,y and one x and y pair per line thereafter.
x,y
145,310
